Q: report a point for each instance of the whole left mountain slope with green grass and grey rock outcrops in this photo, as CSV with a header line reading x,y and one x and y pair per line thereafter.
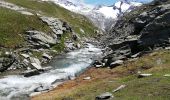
x,y
32,32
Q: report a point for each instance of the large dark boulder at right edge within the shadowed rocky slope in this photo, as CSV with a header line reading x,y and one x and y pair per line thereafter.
x,y
156,32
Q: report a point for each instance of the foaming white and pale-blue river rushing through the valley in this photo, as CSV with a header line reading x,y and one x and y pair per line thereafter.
x,y
18,87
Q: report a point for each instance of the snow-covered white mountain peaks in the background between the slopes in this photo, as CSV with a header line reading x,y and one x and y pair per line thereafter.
x,y
100,15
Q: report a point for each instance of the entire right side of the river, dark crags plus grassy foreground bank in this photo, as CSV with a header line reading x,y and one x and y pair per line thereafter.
x,y
135,63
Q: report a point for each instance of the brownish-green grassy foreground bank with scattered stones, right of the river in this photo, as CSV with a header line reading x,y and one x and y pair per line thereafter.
x,y
123,82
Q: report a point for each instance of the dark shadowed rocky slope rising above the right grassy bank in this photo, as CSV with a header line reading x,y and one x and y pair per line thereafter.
x,y
134,33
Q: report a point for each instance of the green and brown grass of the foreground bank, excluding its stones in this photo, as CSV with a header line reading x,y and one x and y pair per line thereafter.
x,y
155,87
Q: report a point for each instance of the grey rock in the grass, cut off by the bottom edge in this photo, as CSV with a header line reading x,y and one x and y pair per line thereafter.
x,y
105,96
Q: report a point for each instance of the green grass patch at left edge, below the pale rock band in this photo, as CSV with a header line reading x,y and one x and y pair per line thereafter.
x,y
13,26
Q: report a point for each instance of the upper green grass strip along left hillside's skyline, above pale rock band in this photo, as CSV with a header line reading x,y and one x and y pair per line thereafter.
x,y
50,9
